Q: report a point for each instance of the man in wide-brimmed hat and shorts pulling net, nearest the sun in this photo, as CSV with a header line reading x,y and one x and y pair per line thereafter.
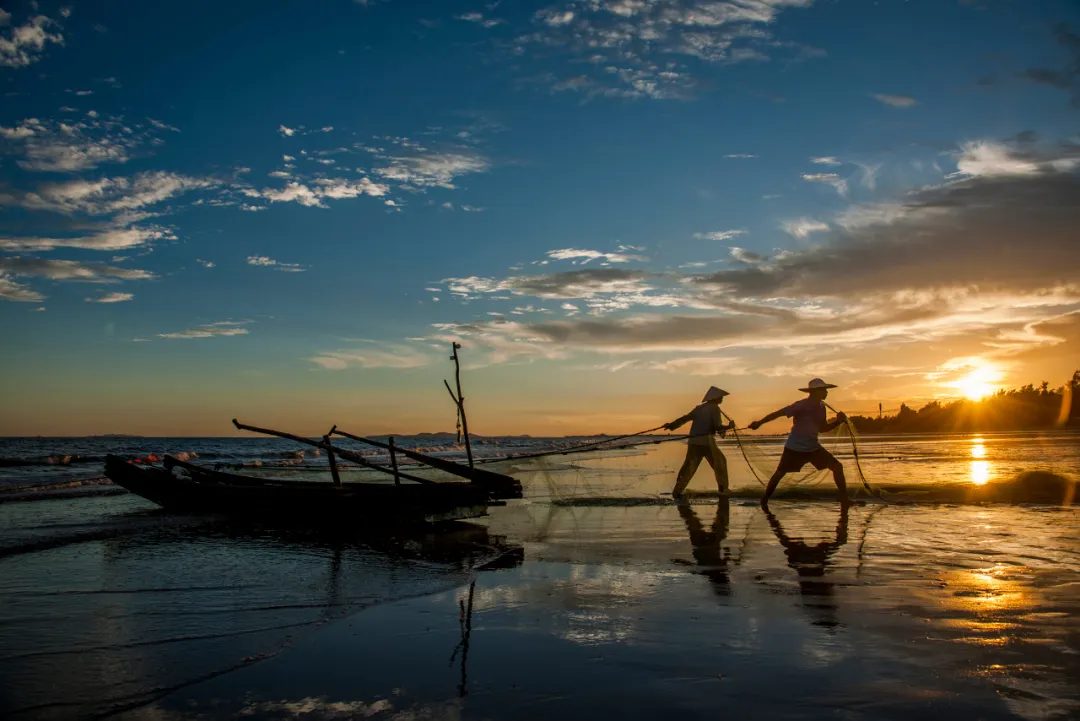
x,y
803,447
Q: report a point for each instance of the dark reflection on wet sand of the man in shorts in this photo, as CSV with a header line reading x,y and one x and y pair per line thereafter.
x,y
812,562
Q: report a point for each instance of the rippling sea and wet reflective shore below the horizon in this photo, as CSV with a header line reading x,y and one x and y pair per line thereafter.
x,y
595,595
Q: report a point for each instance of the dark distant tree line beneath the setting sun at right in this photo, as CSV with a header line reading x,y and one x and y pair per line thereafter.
x,y
1028,409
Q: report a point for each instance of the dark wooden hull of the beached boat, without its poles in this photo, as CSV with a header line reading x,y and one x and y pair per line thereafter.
x,y
181,486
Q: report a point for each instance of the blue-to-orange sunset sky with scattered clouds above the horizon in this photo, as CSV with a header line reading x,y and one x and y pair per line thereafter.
x,y
287,212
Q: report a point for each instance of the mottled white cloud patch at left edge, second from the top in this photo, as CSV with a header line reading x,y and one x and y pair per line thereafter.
x,y
60,147
